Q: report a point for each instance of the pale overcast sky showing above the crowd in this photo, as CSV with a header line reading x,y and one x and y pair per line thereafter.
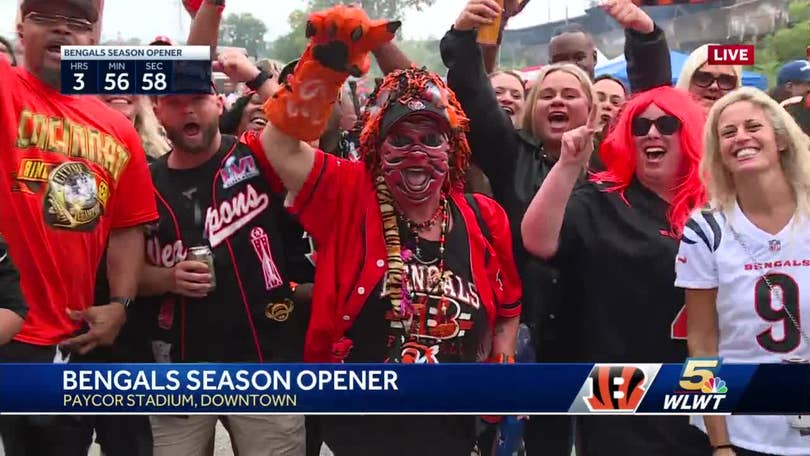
x,y
146,19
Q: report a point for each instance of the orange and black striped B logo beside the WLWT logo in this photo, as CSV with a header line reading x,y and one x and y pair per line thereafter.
x,y
616,388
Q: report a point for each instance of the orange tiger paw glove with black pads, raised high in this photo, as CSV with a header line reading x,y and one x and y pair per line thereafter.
x,y
340,39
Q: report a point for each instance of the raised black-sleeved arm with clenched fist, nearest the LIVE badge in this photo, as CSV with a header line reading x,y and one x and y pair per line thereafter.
x,y
645,46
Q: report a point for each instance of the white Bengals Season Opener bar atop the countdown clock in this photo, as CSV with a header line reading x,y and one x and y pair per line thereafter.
x,y
85,53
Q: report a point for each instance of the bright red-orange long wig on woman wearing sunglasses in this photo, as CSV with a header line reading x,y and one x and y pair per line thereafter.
x,y
620,157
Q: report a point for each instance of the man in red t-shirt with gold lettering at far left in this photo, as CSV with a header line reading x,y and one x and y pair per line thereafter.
x,y
73,176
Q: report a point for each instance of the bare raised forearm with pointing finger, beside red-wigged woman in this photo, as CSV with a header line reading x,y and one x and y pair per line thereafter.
x,y
543,221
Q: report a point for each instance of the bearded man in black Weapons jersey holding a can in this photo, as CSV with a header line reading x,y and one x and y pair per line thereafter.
x,y
218,191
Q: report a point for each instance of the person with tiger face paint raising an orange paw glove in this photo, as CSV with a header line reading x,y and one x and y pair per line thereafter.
x,y
410,268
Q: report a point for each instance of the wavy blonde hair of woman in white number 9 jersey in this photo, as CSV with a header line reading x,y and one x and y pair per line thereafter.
x,y
795,159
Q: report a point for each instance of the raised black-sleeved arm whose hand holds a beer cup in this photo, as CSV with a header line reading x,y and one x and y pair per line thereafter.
x,y
492,136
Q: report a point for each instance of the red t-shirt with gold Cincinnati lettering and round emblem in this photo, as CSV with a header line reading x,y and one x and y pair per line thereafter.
x,y
71,169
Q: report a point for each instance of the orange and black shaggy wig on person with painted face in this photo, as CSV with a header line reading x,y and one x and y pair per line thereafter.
x,y
416,85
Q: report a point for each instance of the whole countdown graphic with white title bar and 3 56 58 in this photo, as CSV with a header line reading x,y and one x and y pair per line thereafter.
x,y
136,70
